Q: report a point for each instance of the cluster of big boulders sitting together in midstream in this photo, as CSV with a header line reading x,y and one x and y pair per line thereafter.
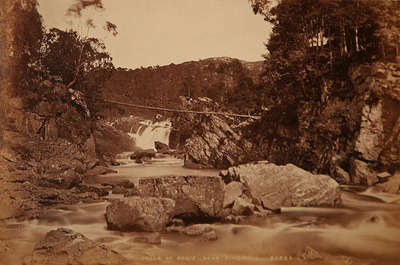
x,y
153,203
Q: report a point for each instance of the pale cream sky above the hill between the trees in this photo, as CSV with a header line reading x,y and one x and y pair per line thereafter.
x,y
160,32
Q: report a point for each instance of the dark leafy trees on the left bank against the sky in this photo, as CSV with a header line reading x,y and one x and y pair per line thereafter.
x,y
58,74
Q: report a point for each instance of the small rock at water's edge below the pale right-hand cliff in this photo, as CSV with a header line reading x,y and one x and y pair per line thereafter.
x,y
362,173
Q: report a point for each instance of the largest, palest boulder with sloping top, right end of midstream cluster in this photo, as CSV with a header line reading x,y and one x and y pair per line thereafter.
x,y
275,186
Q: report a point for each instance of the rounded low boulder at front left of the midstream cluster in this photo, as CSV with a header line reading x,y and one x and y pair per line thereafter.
x,y
139,214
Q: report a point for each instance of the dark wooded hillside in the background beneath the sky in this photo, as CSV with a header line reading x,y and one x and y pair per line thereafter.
x,y
230,82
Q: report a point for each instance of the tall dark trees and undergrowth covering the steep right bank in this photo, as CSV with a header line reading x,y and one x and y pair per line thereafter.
x,y
315,108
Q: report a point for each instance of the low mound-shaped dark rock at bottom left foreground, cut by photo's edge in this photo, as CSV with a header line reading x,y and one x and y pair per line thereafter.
x,y
64,246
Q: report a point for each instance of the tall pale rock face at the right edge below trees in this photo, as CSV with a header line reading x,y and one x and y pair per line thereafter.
x,y
377,146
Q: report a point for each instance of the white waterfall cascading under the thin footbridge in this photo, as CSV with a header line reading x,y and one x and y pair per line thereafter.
x,y
149,132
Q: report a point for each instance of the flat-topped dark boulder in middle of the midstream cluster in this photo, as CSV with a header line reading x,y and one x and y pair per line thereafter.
x,y
195,196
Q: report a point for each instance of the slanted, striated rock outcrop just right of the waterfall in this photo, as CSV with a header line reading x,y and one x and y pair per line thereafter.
x,y
209,141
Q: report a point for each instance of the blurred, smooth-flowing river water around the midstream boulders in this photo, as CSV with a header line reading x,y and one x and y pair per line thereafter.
x,y
364,230
